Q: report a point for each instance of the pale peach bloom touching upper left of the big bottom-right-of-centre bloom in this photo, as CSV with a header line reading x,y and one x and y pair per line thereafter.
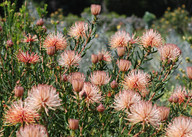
x,y
126,98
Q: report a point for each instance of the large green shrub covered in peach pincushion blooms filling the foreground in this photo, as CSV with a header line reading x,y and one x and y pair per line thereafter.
x,y
43,93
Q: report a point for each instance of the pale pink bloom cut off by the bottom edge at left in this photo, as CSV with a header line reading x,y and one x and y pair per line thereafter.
x,y
32,131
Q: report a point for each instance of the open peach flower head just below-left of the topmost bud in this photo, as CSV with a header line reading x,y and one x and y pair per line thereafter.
x,y
78,30
